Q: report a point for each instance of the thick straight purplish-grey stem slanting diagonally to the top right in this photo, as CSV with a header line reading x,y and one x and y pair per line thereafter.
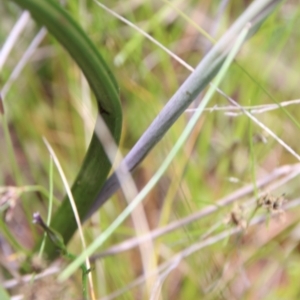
x,y
195,83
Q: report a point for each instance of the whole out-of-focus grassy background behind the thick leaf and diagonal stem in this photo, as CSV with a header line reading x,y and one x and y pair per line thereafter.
x,y
225,152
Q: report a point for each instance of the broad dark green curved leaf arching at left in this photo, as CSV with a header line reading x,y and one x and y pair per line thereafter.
x,y
96,165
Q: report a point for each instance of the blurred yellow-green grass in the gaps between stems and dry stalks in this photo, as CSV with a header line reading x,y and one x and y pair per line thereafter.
x,y
217,151
